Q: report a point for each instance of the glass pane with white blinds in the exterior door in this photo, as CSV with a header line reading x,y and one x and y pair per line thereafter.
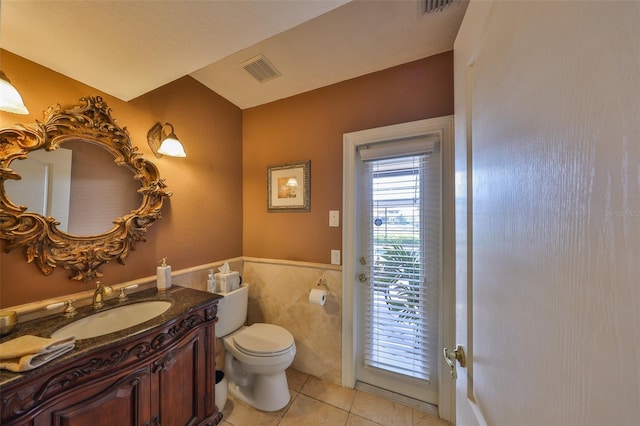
x,y
400,305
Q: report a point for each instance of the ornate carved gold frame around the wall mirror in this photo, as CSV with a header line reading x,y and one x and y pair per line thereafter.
x,y
43,242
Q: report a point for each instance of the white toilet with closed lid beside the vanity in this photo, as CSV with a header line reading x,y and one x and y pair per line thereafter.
x,y
256,356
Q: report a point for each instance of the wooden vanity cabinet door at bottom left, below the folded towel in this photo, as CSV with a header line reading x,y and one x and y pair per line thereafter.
x,y
113,401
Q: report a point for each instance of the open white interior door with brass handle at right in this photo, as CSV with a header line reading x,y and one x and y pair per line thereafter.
x,y
548,208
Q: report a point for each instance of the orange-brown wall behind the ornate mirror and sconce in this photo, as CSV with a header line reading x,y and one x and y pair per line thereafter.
x,y
201,221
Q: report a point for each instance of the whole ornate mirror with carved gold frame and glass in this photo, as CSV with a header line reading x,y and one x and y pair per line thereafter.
x,y
91,218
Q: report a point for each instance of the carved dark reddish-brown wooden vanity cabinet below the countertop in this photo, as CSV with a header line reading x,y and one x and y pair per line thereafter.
x,y
165,376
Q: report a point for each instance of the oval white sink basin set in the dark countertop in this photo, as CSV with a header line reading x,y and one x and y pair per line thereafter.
x,y
113,320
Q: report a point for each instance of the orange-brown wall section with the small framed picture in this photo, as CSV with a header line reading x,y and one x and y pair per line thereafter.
x,y
310,127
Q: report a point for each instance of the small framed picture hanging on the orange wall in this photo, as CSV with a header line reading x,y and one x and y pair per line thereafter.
x,y
288,187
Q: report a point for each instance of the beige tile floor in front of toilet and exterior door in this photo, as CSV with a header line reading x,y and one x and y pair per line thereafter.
x,y
315,402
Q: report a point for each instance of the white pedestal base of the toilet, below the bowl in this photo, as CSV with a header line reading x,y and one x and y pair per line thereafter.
x,y
268,392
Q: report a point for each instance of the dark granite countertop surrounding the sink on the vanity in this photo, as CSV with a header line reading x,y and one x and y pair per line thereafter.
x,y
183,300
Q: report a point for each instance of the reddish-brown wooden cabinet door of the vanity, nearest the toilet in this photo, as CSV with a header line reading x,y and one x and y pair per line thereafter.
x,y
179,381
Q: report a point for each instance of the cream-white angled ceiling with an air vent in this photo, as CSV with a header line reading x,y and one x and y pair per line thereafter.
x,y
128,48
